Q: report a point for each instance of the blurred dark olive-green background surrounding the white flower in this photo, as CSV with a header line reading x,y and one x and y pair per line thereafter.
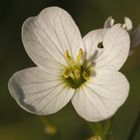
x,y
15,123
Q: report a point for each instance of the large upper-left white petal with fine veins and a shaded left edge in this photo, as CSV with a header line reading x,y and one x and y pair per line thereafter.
x,y
47,36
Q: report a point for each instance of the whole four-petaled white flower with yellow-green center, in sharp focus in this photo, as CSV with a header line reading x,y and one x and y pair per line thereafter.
x,y
84,71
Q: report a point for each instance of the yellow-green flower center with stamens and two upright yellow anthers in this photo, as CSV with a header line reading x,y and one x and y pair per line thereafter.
x,y
78,71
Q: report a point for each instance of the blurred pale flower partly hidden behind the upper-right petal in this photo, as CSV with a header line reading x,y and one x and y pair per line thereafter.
x,y
128,26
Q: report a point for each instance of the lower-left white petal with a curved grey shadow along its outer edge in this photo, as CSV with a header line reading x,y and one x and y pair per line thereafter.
x,y
38,92
